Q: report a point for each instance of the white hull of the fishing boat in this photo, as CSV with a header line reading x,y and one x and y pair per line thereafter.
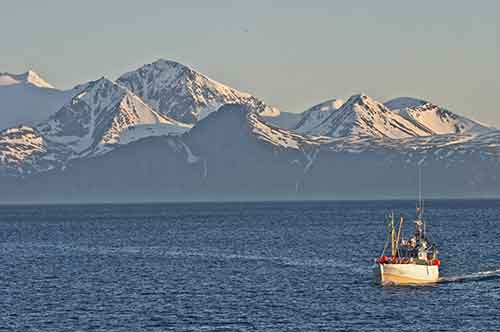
x,y
407,274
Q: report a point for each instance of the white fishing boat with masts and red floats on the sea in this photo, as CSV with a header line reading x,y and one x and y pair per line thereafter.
x,y
412,260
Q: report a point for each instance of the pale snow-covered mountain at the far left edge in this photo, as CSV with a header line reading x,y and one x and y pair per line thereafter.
x,y
28,99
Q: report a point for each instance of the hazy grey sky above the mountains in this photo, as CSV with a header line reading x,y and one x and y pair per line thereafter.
x,y
292,54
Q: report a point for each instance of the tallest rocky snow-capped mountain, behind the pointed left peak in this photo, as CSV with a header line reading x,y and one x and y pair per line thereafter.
x,y
182,93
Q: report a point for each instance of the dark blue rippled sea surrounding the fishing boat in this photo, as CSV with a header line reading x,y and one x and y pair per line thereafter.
x,y
297,266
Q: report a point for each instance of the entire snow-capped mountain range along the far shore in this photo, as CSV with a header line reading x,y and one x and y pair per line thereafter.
x,y
168,132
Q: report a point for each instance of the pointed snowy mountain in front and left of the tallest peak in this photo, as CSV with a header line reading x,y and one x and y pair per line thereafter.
x,y
103,115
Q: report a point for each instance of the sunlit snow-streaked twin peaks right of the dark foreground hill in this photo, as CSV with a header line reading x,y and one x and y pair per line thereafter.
x,y
361,116
